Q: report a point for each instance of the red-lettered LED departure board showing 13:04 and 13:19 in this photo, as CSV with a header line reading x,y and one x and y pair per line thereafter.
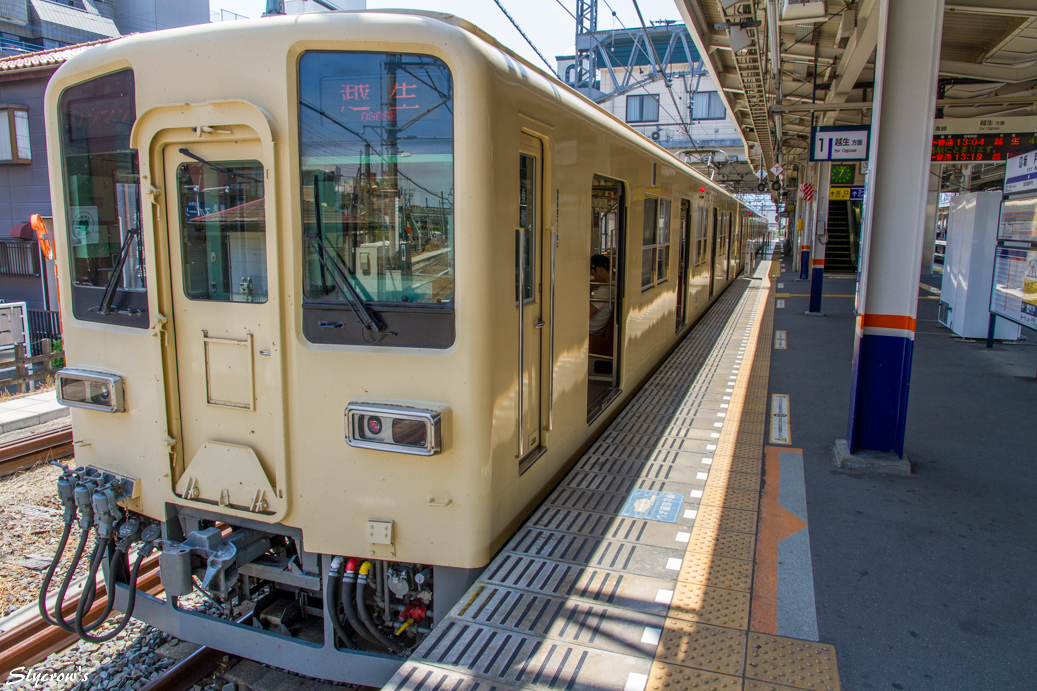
x,y
975,140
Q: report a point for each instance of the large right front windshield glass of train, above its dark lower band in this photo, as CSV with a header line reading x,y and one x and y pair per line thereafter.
x,y
377,148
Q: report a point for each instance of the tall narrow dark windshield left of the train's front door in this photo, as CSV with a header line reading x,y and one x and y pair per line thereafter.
x,y
103,202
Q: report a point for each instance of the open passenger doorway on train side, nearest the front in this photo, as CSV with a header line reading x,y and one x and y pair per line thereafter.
x,y
607,237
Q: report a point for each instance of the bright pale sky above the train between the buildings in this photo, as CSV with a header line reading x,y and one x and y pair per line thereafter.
x,y
546,22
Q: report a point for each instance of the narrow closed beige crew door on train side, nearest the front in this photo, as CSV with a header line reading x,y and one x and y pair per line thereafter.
x,y
529,295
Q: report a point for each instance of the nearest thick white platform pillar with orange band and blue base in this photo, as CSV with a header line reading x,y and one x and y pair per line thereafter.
x,y
907,64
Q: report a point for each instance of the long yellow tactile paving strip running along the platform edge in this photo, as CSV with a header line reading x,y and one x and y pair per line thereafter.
x,y
706,644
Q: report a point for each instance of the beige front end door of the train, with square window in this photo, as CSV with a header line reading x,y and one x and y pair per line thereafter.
x,y
226,322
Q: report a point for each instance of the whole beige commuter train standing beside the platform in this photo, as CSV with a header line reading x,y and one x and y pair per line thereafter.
x,y
344,296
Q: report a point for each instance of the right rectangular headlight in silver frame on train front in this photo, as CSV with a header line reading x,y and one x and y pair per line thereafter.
x,y
394,428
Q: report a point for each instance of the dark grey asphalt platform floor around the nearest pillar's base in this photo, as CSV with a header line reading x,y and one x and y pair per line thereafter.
x,y
923,583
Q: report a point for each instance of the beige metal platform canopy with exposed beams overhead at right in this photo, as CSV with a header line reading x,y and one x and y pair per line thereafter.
x,y
786,65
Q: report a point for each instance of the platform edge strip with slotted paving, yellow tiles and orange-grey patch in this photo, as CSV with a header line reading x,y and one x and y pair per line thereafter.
x,y
663,561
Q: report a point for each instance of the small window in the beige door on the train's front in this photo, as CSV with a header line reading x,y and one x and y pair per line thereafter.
x,y
223,227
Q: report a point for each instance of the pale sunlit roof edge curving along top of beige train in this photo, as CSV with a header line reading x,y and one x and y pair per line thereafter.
x,y
114,51
